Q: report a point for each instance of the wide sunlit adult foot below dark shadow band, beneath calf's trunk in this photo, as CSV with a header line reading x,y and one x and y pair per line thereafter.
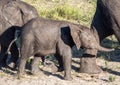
x,y
88,65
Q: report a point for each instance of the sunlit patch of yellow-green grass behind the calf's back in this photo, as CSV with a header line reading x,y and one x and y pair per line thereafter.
x,y
78,11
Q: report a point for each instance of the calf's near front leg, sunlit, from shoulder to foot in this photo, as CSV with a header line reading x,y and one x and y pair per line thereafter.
x,y
66,53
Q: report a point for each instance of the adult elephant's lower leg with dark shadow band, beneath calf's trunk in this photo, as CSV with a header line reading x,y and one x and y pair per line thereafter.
x,y
88,62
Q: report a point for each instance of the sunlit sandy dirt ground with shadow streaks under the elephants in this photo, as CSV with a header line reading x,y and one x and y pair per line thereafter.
x,y
110,75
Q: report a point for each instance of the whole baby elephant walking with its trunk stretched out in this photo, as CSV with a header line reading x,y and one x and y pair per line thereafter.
x,y
41,37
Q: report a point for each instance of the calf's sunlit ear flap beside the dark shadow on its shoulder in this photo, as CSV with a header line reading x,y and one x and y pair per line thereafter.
x,y
75,32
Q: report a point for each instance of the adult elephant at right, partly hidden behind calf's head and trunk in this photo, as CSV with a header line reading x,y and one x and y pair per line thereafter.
x,y
107,22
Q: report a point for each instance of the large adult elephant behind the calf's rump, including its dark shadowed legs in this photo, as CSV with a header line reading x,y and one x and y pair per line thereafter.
x,y
13,13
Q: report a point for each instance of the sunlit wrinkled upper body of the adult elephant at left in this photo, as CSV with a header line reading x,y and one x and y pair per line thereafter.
x,y
15,13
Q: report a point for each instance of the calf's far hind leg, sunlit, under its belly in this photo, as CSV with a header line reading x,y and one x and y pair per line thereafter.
x,y
34,67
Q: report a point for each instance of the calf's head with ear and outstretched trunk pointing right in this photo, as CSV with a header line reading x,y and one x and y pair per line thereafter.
x,y
85,37
